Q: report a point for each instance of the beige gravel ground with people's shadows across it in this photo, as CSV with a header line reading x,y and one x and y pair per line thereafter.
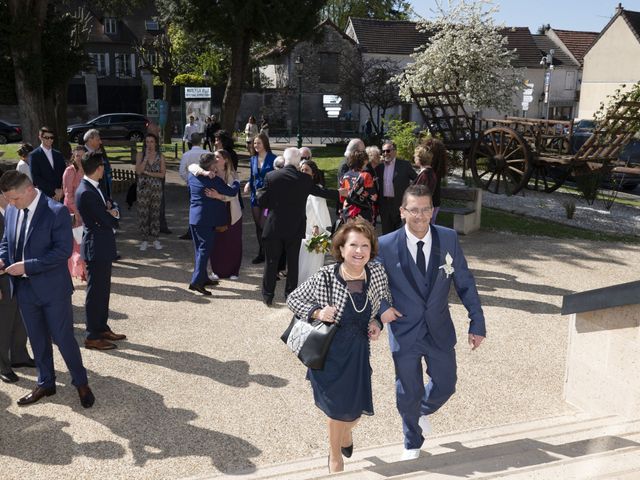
x,y
205,385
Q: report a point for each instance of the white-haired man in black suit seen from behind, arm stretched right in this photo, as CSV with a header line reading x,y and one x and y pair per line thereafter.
x,y
284,194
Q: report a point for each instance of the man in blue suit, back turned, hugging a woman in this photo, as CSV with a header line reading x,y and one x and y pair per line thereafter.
x,y
205,214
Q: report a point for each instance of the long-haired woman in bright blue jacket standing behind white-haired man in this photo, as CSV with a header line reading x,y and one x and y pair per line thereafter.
x,y
260,164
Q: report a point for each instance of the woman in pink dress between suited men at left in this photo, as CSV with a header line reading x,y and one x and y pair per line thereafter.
x,y
71,179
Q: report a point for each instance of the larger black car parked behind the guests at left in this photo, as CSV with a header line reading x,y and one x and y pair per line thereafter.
x,y
116,126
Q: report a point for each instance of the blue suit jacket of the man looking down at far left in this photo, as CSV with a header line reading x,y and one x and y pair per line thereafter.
x,y
48,246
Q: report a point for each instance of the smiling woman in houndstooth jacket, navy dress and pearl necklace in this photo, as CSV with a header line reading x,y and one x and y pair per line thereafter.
x,y
342,389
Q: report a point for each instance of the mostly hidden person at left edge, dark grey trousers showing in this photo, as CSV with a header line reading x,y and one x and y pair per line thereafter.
x,y
13,336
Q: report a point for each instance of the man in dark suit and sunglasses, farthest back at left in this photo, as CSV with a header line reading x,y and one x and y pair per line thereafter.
x,y
47,166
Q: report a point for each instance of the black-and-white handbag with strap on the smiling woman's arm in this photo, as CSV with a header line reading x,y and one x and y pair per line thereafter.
x,y
310,341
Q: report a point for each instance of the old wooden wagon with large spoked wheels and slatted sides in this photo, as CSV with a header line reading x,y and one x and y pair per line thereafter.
x,y
508,154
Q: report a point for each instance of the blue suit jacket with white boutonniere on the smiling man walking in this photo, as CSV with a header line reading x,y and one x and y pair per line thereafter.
x,y
422,301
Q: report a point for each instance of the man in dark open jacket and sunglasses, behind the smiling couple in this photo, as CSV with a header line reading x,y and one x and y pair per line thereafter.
x,y
394,176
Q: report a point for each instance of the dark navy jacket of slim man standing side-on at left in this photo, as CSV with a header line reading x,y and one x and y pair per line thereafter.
x,y
98,239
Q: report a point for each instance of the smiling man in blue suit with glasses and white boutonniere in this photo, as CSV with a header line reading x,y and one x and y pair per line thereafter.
x,y
422,261
